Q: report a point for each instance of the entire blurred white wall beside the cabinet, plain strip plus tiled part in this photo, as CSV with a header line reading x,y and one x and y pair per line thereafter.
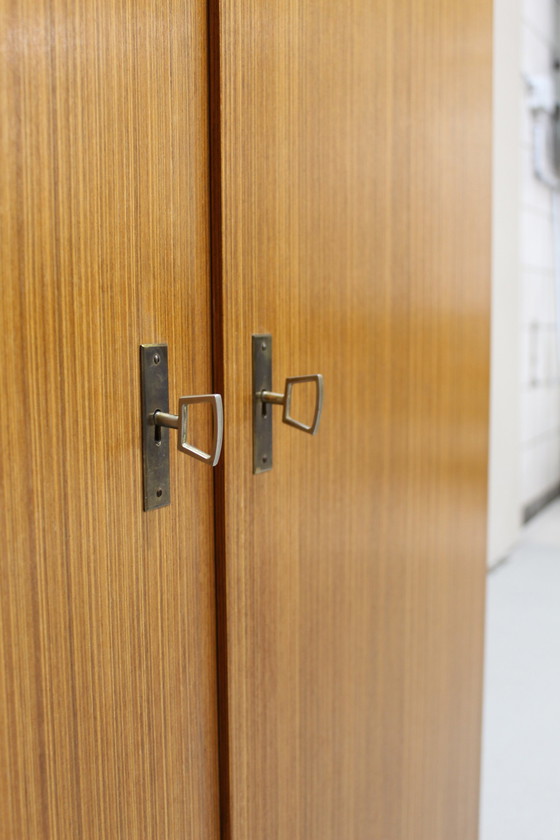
x,y
525,395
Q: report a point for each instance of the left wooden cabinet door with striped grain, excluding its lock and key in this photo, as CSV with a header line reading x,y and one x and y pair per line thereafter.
x,y
107,643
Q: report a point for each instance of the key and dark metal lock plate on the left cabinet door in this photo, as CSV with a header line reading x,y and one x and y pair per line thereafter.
x,y
156,421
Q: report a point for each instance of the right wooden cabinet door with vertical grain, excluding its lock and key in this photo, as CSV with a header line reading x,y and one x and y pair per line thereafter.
x,y
351,213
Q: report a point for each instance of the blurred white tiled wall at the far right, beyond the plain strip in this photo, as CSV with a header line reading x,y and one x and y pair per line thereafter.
x,y
539,381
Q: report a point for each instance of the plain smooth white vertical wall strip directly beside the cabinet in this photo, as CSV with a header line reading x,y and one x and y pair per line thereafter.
x,y
504,488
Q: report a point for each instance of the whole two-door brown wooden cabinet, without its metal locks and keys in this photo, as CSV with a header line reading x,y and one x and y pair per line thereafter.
x,y
297,654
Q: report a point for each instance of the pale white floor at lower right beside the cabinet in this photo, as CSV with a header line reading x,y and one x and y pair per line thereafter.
x,y
521,743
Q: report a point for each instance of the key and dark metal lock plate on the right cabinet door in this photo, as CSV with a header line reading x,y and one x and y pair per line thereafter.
x,y
263,396
